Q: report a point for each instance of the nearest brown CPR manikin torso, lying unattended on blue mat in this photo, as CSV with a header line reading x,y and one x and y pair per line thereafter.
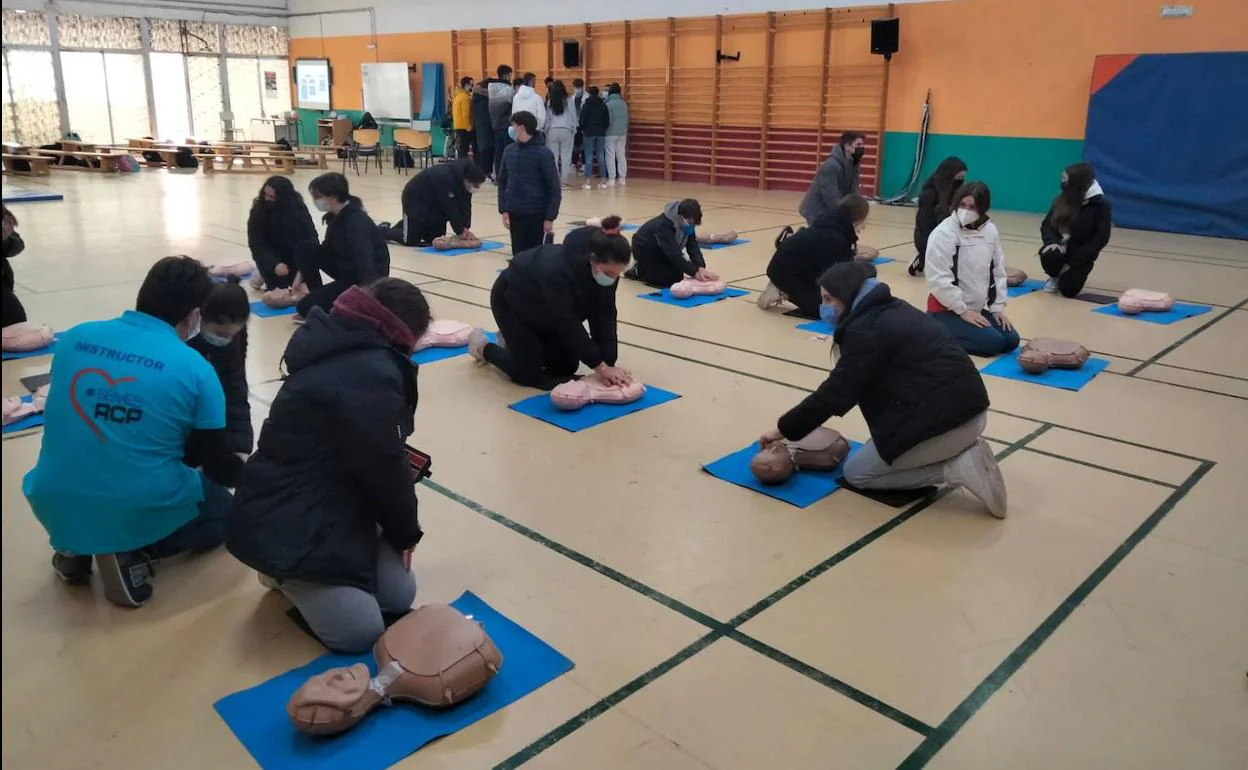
x,y
435,657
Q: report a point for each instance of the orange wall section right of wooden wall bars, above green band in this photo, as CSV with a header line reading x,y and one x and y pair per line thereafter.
x,y
1023,68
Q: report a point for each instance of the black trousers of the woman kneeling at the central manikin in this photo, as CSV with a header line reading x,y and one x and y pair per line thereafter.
x,y
534,358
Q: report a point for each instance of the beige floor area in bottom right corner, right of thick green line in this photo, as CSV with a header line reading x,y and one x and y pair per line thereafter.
x,y
1148,675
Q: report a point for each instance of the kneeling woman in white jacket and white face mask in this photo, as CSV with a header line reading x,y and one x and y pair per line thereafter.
x,y
967,276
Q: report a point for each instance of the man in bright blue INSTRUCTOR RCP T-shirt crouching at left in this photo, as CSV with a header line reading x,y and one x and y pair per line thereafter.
x,y
129,400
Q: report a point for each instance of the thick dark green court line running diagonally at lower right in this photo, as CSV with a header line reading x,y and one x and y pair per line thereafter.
x,y
994,682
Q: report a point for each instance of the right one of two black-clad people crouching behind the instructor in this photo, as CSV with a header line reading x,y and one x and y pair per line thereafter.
x,y
354,253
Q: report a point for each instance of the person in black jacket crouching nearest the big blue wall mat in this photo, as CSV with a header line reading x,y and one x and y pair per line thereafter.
x,y
1075,231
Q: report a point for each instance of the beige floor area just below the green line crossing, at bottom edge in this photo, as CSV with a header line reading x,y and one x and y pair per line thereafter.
x,y
718,703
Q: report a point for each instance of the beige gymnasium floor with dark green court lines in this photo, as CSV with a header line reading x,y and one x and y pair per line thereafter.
x,y
1104,625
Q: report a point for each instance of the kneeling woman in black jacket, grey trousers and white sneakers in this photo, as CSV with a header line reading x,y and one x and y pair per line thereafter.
x,y
923,400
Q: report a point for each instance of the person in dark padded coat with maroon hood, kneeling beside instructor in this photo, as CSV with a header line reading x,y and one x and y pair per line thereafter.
x,y
326,509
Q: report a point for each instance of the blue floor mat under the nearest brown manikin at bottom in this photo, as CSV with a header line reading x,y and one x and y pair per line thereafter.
x,y
258,717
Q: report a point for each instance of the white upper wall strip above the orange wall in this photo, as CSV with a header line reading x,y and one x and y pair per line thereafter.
x,y
439,16
